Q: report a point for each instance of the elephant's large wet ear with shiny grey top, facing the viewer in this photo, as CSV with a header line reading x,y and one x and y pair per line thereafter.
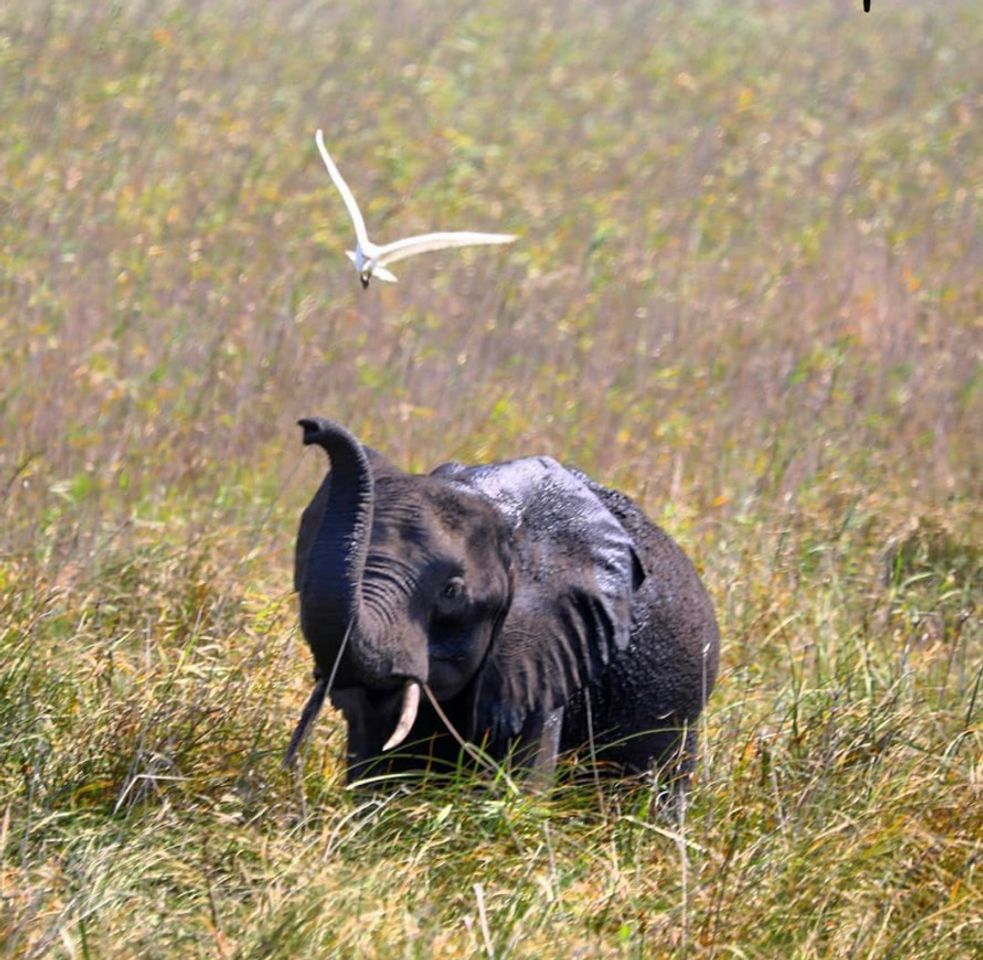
x,y
576,570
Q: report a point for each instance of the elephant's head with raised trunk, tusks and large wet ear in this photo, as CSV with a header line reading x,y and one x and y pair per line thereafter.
x,y
510,583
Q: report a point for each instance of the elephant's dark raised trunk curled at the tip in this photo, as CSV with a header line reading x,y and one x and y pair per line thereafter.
x,y
330,594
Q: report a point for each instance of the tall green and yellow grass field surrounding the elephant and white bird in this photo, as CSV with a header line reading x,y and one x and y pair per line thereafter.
x,y
747,291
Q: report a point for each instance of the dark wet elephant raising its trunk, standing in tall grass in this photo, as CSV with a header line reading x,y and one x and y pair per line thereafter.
x,y
538,611
